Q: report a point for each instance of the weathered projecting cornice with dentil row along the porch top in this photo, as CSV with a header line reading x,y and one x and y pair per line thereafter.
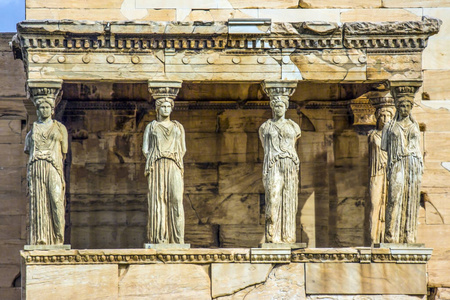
x,y
147,36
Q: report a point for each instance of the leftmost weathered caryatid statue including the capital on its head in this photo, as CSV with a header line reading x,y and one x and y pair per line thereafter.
x,y
46,144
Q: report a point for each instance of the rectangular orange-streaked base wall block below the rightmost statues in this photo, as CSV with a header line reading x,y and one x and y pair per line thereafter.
x,y
356,279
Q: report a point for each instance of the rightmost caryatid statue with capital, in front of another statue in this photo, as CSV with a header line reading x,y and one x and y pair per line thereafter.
x,y
401,140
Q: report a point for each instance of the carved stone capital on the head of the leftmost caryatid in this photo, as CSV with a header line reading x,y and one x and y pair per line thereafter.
x,y
44,89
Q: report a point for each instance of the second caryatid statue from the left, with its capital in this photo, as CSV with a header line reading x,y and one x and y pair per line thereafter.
x,y
164,148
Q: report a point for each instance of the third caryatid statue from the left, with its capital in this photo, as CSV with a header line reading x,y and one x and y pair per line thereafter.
x,y
281,165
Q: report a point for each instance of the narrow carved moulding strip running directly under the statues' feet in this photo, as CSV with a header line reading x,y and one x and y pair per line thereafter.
x,y
228,255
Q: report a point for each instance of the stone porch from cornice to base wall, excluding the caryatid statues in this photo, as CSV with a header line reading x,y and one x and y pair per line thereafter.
x,y
105,71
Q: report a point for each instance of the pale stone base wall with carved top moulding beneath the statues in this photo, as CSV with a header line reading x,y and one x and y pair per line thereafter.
x,y
255,273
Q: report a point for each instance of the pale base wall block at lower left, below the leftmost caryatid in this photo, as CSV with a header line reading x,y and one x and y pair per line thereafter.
x,y
55,282
